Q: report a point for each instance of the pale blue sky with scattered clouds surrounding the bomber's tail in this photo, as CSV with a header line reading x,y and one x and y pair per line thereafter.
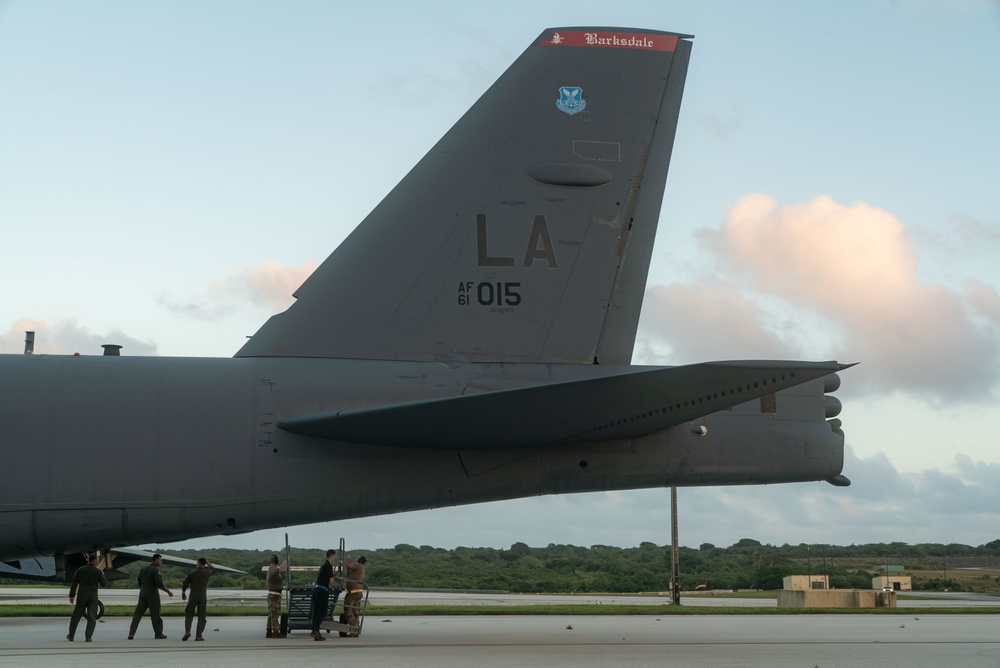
x,y
170,172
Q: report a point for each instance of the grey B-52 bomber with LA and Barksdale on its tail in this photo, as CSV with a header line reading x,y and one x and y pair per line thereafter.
x,y
469,341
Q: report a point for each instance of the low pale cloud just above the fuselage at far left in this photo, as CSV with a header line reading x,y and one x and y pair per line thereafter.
x,y
67,337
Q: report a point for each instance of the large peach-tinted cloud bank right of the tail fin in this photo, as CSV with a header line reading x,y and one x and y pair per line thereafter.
x,y
837,281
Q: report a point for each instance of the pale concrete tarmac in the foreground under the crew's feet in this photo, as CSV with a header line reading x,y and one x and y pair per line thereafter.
x,y
800,641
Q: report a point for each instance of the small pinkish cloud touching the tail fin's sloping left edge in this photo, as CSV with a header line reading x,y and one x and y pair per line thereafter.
x,y
267,285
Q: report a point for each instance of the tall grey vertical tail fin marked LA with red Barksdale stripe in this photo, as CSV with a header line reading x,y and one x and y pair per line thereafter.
x,y
526,233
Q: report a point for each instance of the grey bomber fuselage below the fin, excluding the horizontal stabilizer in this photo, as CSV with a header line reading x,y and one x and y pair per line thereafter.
x,y
110,451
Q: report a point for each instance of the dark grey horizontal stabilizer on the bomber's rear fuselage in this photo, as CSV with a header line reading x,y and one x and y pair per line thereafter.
x,y
626,405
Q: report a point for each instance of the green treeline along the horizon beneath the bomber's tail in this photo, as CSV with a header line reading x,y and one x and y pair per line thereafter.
x,y
747,564
